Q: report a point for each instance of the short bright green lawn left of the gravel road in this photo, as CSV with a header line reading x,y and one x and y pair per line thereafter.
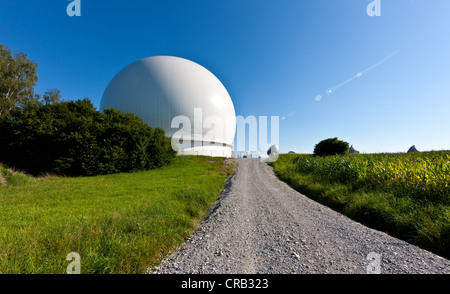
x,y
121,223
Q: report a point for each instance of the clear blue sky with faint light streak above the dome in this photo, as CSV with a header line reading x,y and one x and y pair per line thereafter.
x,y
324,67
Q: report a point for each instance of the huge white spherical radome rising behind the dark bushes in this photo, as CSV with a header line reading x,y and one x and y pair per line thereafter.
x,y
161,88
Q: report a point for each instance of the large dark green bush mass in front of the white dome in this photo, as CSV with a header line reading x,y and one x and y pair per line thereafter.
x,y
73,138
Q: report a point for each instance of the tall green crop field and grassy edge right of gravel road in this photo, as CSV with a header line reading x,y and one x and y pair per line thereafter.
x,y
416,211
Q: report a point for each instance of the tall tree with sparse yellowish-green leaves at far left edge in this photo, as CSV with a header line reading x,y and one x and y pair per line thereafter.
x,y
18,76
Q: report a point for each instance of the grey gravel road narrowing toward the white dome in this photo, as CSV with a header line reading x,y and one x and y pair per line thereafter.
x,y
260,225
